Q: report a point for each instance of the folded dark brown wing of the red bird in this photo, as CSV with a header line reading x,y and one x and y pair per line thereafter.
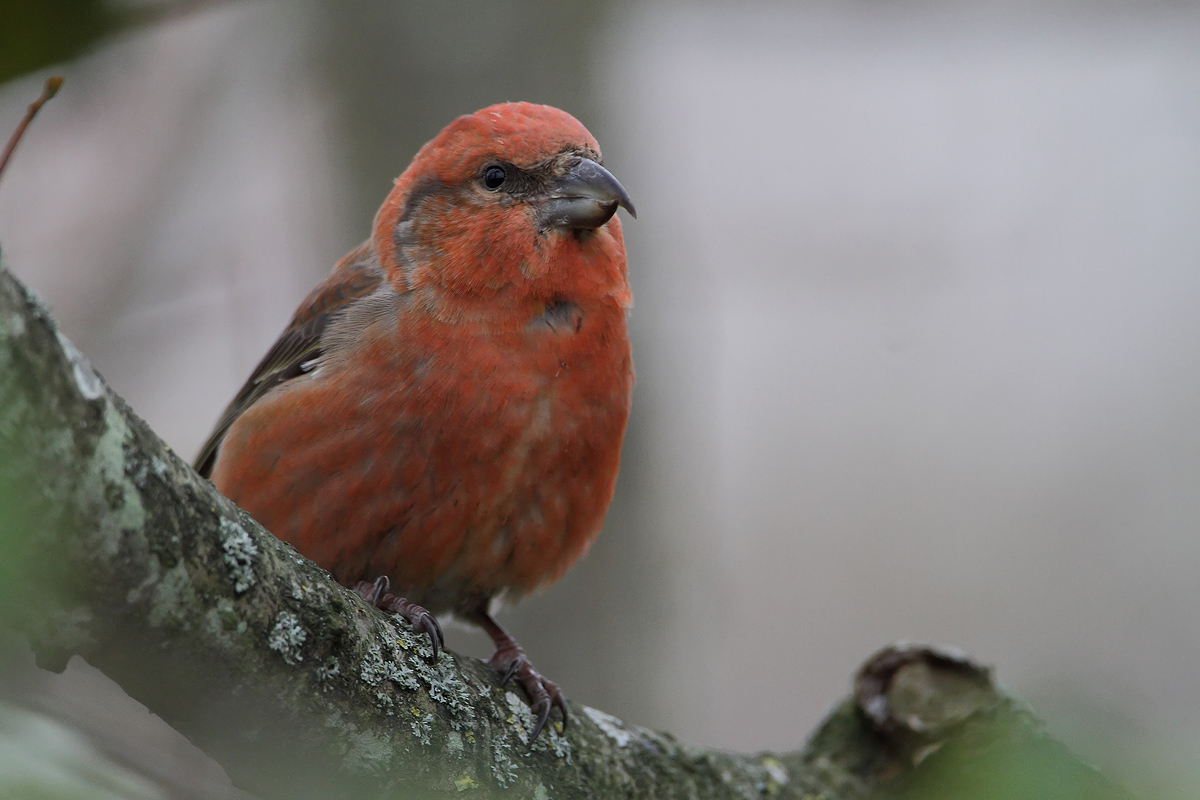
x,y
301,345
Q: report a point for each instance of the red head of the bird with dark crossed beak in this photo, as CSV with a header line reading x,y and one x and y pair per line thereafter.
x,y
507,204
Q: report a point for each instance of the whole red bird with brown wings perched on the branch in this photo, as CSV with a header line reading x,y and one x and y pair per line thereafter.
x,y
445,414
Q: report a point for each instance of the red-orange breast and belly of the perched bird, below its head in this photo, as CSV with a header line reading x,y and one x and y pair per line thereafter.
x,y
465,465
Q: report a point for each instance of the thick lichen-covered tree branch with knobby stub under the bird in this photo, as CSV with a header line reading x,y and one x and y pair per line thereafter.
x,y
115,550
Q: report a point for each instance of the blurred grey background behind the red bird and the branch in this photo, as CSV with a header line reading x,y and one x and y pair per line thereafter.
x,y
917,316
